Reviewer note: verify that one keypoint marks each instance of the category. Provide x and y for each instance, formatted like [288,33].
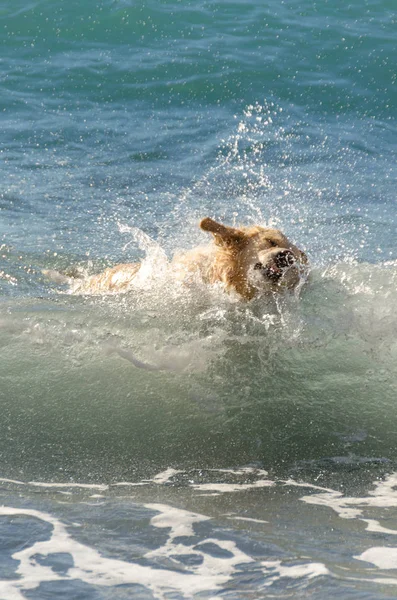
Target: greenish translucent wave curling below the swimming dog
[177,376]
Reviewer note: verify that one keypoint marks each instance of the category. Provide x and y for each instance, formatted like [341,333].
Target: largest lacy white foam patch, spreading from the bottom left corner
[210,574]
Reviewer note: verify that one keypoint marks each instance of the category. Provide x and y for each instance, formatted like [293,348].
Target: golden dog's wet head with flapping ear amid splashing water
[255,259]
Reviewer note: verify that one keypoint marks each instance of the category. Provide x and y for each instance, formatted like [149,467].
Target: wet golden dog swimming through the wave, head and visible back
[247,261]
